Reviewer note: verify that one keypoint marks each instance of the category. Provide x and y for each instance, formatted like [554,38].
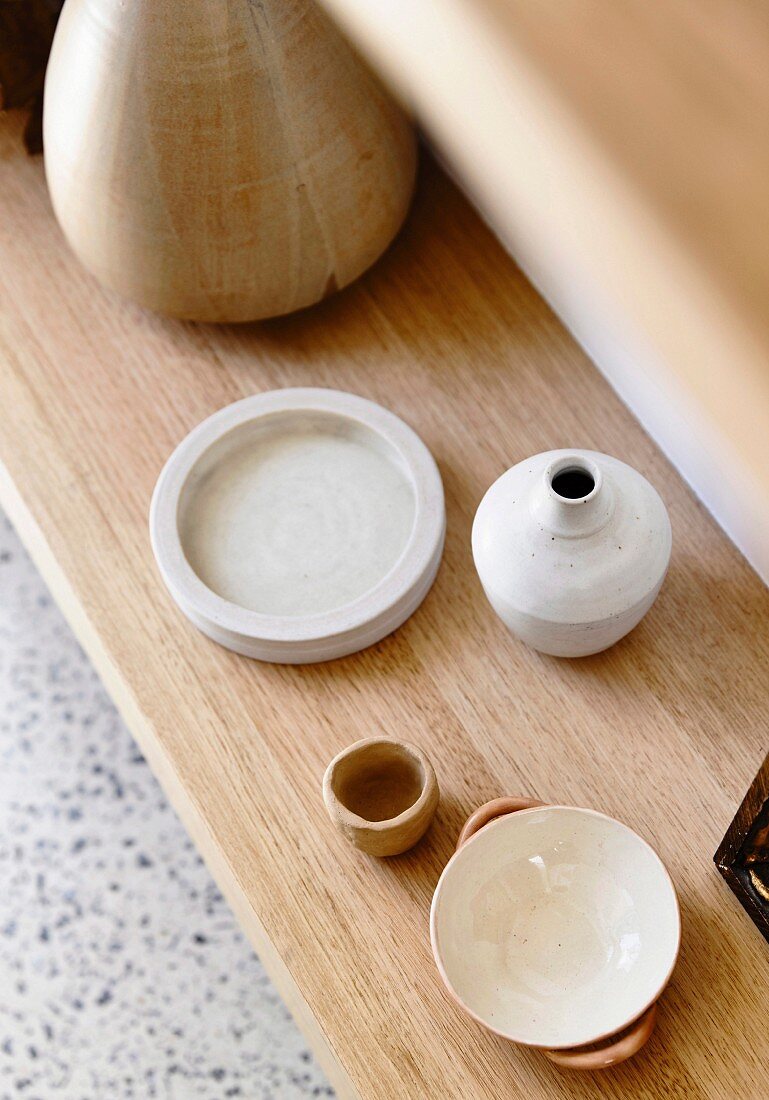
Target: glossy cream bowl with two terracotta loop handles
[557,928]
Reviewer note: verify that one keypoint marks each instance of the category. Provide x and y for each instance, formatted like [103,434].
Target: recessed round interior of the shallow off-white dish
[298,513]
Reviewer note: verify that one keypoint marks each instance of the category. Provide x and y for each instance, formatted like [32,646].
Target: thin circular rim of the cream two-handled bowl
[506,821]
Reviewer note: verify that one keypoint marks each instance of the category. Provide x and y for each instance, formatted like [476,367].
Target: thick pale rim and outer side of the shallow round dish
[328,634]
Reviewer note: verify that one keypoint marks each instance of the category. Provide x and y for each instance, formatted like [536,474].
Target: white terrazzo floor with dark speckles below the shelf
[123,971]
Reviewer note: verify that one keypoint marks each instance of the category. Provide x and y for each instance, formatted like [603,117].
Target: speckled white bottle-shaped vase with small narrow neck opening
[572,548]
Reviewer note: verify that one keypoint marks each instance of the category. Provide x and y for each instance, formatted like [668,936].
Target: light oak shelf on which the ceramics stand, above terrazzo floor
[664,732]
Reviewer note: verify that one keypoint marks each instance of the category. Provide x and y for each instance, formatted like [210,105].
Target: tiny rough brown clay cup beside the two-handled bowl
[381,795]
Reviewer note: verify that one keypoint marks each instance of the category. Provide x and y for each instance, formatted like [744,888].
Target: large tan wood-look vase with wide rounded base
[221,160]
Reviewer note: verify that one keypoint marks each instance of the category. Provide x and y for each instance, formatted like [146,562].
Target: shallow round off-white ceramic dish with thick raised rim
[299,525]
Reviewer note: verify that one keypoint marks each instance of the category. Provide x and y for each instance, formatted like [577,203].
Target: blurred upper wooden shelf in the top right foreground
[622,151]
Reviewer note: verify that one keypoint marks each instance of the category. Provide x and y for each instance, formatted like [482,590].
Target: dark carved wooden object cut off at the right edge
[743,857]
